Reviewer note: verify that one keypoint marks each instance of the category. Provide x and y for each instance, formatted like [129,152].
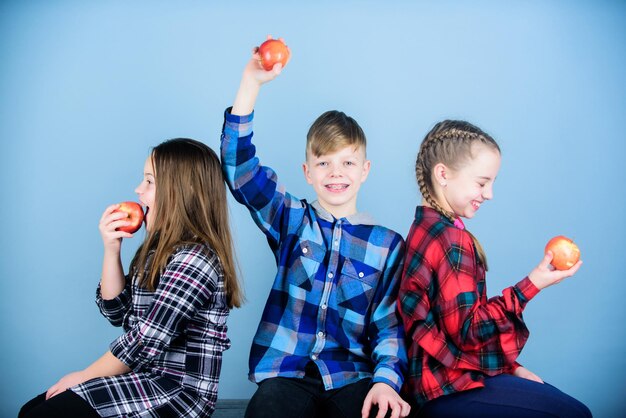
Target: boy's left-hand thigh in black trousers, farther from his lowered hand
[285,397]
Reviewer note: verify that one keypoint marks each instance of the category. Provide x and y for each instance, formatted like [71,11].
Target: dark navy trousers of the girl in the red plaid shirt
[505,396]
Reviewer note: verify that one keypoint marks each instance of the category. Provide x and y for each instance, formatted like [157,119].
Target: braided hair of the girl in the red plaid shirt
[448,142]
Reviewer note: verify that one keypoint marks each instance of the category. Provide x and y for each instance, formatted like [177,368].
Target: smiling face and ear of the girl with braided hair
[463,190]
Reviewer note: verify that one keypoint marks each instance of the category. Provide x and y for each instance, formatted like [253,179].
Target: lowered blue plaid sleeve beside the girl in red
[386,332]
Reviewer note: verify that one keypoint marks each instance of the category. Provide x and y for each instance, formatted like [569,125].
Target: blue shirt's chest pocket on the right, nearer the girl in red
[356,286]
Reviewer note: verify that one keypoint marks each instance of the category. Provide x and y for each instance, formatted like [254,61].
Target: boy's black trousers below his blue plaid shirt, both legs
[307,398]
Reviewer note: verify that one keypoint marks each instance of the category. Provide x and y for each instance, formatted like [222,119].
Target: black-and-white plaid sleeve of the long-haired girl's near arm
[184,287]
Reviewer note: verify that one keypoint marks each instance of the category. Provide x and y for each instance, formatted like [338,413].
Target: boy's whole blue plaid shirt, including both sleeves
[333,298]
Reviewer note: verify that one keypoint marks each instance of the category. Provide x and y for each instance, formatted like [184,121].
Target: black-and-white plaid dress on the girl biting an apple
[173,342]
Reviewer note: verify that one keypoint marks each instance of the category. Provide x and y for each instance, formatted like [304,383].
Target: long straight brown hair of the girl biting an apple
[191,208]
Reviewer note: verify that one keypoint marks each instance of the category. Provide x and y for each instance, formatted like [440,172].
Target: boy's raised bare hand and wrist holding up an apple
[254,76]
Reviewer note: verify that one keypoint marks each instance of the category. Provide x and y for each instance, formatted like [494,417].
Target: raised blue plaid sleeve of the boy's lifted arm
[252,184]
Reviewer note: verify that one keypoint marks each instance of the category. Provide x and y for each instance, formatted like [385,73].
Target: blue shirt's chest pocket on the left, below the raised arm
[307,258]
